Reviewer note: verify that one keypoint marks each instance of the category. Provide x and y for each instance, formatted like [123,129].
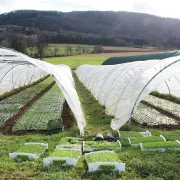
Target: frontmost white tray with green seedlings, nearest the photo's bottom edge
[104,160]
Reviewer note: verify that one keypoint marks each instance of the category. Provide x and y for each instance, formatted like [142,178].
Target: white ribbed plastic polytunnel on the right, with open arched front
[121,87]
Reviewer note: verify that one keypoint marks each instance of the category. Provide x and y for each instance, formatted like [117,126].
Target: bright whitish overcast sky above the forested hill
[165,8]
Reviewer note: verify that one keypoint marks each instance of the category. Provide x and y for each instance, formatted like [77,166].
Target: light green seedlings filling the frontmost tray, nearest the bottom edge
[102,157]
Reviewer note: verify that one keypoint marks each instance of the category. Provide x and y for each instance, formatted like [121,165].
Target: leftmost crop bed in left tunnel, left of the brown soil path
[11,105]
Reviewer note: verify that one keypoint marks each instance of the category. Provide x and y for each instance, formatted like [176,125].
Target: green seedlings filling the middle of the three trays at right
[146,139]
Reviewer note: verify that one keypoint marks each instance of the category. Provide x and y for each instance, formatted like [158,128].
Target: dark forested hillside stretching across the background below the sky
[94,27]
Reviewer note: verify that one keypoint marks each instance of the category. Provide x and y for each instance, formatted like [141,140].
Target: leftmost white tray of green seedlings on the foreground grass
[29,151]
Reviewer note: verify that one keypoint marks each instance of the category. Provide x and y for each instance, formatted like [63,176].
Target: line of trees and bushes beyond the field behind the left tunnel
[41,49]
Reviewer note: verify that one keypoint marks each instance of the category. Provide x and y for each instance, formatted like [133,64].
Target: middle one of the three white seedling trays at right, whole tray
[136,141]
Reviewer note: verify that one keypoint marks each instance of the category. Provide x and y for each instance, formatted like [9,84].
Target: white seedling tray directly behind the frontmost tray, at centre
[100,145]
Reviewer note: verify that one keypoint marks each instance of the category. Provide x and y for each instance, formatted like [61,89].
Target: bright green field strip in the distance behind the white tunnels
[75,61]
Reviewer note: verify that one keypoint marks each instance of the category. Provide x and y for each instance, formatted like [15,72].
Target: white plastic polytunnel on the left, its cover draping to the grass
[17,69]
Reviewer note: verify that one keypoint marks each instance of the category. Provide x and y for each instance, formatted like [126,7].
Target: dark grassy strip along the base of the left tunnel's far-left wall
[17,90]
